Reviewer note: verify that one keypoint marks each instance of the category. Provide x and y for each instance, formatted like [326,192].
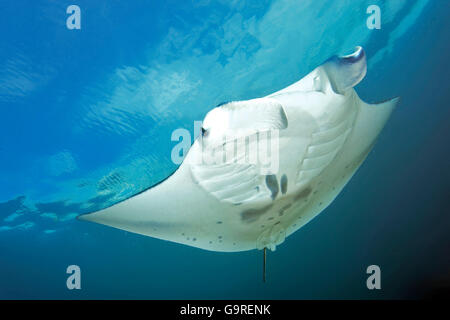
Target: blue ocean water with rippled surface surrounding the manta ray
[86,118]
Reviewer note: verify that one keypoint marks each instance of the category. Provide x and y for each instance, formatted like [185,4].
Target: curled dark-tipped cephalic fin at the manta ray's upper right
[347,71]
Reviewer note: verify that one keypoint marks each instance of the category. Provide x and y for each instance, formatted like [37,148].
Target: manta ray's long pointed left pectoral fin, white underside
[176,210]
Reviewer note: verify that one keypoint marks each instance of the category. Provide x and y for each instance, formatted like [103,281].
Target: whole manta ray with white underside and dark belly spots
[324,132]
